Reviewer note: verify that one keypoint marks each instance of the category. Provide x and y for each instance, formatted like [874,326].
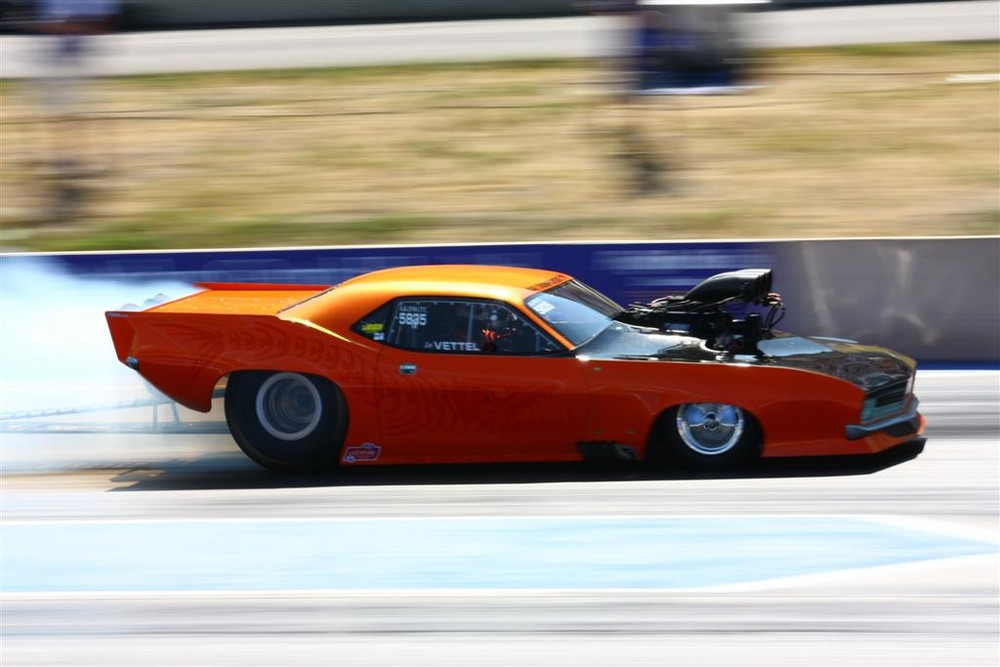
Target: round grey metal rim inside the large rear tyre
[288,406]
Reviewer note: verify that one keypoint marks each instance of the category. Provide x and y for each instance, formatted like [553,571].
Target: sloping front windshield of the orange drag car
[574,310]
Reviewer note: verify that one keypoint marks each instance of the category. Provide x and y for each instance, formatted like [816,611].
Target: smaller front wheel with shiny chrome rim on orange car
[707,435]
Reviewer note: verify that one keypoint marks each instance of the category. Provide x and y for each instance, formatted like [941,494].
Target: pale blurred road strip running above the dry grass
[477,41]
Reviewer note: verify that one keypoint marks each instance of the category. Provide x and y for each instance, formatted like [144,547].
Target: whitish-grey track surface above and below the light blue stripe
[936,612]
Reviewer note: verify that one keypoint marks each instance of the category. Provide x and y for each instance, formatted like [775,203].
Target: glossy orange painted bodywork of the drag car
[467,407]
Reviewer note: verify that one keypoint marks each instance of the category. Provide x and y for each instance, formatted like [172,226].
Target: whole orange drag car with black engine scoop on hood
[486,364]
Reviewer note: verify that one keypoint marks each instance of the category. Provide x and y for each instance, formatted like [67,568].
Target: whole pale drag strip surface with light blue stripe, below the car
[123,548]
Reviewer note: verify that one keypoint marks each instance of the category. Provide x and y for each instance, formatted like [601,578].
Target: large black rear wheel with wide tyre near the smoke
[286,421]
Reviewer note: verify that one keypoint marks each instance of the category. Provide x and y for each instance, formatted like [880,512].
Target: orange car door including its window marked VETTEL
[470,380]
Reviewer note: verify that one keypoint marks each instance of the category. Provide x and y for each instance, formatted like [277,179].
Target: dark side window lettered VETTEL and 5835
[453,326]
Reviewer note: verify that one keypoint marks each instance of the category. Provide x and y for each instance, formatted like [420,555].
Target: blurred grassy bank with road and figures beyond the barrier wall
[169,124]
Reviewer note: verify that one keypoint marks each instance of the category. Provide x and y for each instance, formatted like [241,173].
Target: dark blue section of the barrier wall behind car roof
[625,271]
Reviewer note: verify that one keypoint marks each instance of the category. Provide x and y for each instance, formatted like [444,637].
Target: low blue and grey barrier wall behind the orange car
[934,299]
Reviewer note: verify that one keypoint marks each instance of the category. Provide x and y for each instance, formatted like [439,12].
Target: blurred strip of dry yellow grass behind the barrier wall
[837,142]
